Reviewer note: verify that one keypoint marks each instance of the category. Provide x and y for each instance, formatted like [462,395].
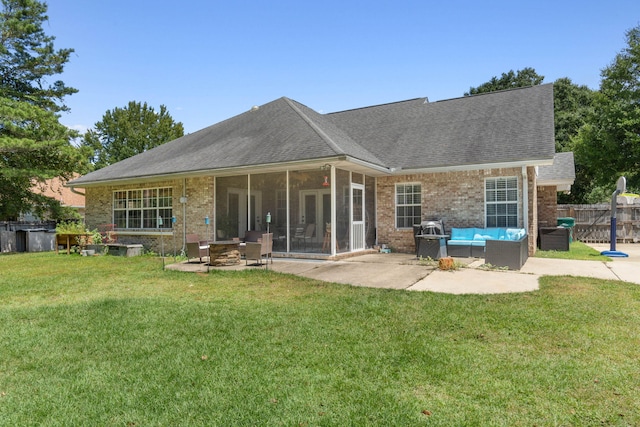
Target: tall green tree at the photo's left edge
[34,146]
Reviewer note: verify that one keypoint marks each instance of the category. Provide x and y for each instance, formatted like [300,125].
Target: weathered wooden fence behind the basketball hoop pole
[593,222]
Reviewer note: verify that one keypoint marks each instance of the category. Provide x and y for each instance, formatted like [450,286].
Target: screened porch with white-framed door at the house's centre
[323,210]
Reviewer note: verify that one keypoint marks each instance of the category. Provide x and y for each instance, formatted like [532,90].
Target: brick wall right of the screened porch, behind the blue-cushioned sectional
[457,198]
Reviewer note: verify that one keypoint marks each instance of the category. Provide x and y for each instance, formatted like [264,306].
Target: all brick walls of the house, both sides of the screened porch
[455,197]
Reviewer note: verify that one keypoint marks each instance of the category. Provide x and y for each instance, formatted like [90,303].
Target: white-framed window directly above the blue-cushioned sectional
[501,202]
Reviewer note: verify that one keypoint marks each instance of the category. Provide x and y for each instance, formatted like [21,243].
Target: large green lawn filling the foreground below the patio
[118,342]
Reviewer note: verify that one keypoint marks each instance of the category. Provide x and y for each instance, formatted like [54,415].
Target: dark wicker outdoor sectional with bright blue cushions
[500,247]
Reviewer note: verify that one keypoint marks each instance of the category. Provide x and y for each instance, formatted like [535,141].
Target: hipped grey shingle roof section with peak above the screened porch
[280,131]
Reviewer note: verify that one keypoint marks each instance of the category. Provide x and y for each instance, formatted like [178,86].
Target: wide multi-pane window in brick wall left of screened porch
[142,208]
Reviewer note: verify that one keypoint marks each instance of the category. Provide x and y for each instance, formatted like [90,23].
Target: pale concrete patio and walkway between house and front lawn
[403,271]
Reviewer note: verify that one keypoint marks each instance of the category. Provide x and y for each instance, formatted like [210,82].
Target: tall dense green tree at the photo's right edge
[608,145]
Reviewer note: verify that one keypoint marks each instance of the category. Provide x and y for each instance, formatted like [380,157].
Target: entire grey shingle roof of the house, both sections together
[515,125]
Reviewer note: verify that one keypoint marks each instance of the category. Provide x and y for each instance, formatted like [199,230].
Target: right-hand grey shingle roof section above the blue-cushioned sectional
[506,126]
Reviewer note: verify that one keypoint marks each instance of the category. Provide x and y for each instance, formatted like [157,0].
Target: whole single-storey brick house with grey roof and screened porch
[340,182]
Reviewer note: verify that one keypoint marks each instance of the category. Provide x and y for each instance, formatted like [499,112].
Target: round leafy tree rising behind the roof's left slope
[125,132]
